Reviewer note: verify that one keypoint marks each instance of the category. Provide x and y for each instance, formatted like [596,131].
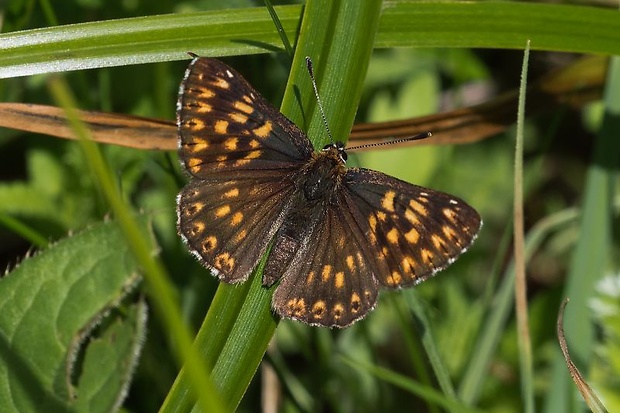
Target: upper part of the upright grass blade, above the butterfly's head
[340,53]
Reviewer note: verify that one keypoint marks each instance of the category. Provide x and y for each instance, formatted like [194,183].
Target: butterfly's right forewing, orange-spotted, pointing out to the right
[413,231]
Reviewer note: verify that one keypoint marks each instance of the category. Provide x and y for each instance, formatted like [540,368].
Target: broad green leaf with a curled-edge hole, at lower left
[51,304]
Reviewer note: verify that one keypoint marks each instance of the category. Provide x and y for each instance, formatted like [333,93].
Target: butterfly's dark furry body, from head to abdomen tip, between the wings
[317,185]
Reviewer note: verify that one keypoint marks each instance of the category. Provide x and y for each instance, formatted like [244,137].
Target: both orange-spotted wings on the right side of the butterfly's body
[377,231]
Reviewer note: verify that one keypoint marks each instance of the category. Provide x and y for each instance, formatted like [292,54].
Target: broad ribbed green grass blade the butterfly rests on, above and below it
[249,338]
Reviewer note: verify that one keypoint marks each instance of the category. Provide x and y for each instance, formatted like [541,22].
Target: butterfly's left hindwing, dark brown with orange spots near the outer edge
[228,224]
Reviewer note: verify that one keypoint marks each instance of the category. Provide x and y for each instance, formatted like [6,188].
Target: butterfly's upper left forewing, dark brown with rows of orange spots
[226,127]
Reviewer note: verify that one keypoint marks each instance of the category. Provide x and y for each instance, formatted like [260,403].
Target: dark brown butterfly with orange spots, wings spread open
[335,234]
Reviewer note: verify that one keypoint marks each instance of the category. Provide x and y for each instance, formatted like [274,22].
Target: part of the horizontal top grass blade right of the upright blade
[499,25]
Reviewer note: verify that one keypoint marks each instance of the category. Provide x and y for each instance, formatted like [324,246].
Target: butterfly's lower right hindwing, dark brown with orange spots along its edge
[330,282]
